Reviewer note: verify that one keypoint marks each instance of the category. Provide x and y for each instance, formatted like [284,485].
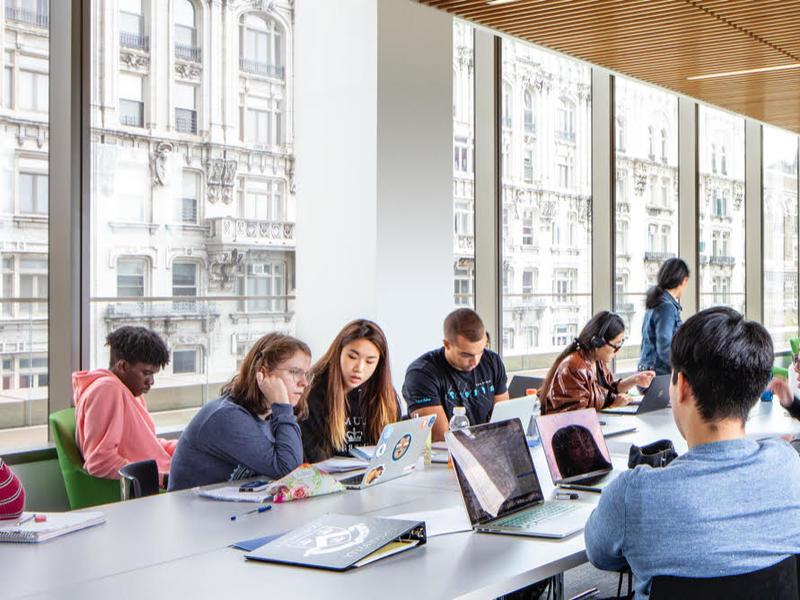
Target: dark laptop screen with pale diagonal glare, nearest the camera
[494,469]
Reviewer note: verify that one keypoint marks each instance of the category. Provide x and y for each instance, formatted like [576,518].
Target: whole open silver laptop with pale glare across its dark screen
[500,488]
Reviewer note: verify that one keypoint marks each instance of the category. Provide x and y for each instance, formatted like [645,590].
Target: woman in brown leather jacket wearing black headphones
[580,378]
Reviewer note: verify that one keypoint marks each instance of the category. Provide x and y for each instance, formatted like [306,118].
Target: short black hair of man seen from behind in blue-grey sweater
[726,360]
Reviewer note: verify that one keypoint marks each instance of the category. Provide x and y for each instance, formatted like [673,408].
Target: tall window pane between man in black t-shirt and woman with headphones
[546,203]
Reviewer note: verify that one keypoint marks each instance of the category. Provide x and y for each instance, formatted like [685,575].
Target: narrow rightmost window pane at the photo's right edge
[780,235]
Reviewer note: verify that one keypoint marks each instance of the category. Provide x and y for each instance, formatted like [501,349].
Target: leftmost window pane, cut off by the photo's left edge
[24,224]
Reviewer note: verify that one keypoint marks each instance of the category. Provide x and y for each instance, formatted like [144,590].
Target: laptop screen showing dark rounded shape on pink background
[573,445]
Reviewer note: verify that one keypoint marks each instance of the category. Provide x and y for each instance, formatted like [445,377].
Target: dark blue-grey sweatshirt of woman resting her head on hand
[224,442]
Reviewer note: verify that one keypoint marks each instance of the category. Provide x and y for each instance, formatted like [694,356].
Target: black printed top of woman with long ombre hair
[314,429]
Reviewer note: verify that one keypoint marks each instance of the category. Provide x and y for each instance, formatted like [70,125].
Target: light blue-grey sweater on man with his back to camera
[720,509]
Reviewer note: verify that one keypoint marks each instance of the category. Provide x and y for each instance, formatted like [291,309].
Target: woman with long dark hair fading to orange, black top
[350,398]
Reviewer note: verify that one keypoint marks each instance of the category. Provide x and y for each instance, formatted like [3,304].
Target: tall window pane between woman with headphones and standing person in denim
[645,199]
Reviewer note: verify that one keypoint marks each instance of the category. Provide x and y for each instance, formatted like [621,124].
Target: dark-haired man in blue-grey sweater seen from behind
[729,505]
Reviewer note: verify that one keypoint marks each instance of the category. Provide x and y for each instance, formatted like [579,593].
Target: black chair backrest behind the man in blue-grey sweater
[778,582]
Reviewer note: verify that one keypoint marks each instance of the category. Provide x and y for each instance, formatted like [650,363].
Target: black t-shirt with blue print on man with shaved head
[432,381]
